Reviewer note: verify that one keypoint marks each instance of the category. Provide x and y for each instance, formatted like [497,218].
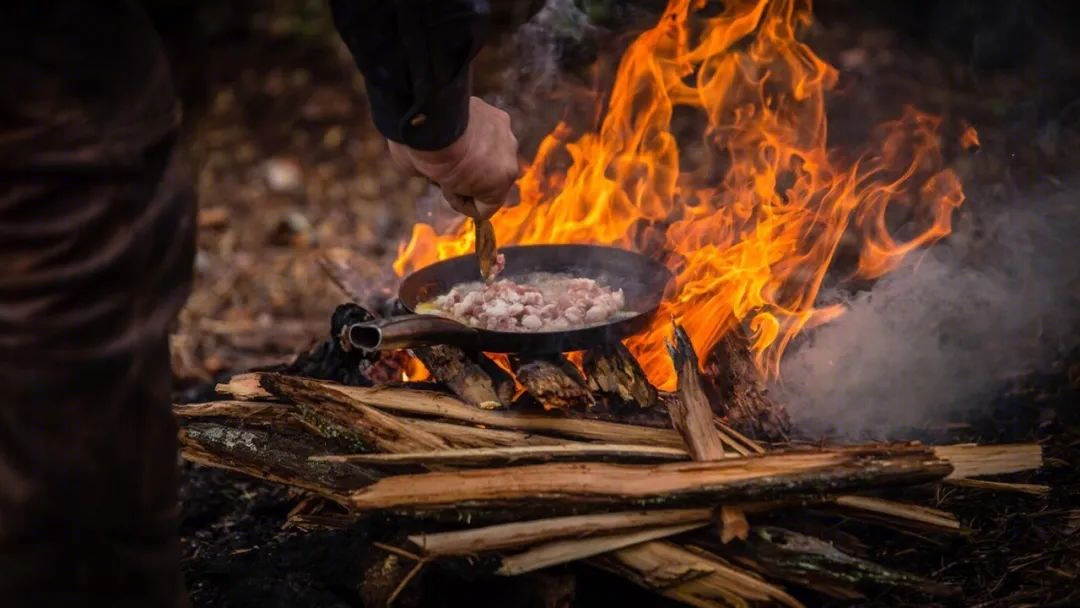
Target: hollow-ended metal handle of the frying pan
[407,331]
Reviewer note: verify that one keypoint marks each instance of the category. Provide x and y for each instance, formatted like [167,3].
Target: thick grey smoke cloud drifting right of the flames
[936,339]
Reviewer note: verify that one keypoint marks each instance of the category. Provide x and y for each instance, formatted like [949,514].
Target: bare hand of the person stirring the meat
[478,170]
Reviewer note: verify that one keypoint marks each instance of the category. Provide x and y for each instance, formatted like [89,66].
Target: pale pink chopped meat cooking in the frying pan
[537,303]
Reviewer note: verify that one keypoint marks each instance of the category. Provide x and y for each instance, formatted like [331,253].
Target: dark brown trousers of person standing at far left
[97,249]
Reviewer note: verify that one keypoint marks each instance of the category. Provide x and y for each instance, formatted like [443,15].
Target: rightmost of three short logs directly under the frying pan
[614,372]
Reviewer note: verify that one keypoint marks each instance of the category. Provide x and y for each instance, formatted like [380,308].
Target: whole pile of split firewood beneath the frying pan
[682,504]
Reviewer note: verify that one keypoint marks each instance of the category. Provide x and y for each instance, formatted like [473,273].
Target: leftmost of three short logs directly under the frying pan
[474,377]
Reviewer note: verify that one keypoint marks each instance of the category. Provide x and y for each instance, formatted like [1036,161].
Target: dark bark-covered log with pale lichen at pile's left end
[277,457]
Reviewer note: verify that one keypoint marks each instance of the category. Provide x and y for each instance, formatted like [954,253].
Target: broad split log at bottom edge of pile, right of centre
[693,577]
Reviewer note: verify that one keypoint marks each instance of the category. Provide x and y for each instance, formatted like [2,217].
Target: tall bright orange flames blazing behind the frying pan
[753,214]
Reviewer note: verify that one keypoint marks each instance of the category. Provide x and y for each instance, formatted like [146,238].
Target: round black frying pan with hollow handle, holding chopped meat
[643,282]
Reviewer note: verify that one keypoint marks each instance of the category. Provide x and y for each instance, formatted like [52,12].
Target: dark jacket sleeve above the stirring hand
[415,58]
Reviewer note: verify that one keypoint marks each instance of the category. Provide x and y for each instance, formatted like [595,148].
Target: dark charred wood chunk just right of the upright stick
[740,394]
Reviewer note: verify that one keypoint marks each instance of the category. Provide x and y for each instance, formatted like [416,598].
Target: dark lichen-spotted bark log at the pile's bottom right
[819,565]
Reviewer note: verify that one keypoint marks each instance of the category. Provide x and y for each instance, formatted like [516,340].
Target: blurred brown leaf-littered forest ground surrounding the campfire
[287,163]
